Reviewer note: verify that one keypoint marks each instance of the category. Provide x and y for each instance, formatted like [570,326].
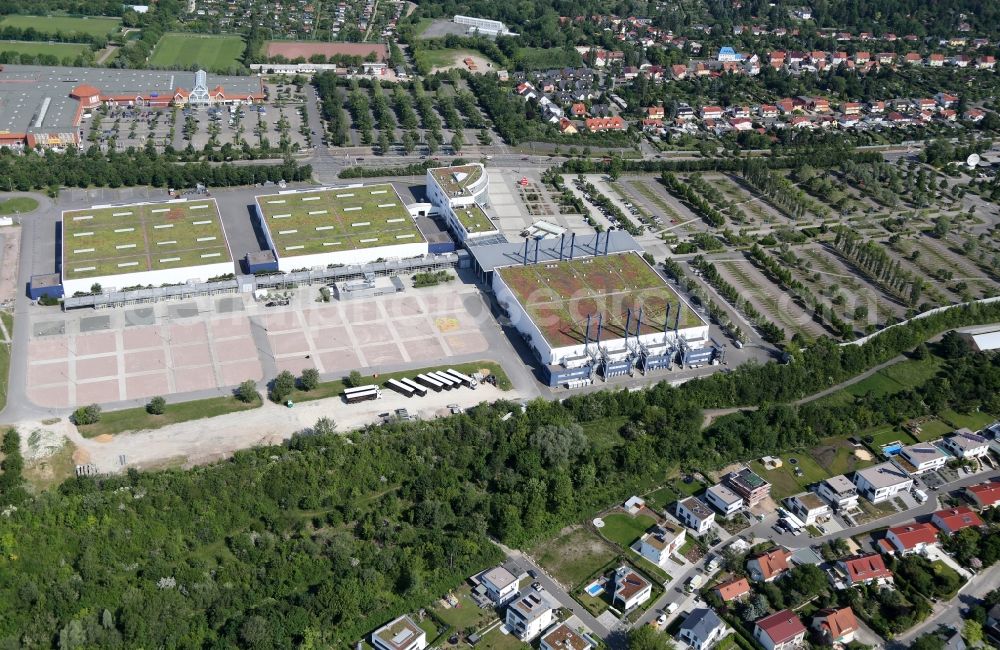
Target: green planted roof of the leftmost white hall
[142,237]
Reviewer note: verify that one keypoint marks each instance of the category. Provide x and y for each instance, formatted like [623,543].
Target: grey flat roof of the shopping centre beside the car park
[24,90]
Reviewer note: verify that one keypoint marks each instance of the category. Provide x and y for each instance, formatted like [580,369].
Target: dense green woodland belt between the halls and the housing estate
[314,543]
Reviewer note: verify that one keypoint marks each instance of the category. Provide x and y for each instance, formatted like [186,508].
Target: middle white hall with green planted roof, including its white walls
[358,224]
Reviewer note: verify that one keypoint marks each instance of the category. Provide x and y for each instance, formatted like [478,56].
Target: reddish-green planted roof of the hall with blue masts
[558,296]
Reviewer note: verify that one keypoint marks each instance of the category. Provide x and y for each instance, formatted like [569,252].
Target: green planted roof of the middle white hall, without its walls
[332,220]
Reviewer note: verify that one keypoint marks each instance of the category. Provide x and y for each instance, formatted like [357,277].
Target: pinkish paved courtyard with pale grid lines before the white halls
[207,345]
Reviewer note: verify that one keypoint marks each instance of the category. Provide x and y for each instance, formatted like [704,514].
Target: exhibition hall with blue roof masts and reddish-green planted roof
[591,310]
